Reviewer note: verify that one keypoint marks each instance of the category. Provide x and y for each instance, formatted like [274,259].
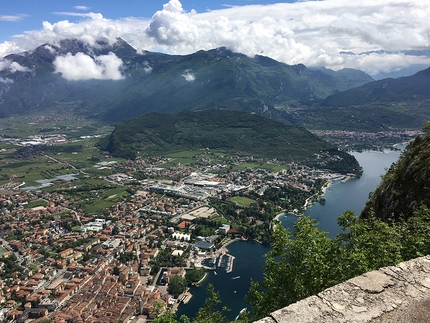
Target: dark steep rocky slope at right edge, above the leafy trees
[405,187]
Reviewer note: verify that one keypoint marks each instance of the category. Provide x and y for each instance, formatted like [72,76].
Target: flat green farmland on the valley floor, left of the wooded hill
[29,164]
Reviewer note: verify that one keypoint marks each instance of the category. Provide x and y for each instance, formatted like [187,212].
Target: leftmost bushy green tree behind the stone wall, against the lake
[295,268]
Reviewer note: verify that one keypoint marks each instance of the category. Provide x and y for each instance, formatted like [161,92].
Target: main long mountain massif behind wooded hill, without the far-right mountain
[210,79]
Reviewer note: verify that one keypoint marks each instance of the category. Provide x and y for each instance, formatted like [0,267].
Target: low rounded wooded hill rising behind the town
[236,132]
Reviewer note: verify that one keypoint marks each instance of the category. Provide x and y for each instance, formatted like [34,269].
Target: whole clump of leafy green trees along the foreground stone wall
[306,262]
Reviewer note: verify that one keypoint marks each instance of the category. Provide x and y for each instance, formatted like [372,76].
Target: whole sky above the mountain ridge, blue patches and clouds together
[376,36]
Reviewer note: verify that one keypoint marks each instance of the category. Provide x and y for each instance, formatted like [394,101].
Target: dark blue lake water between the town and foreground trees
[249,262]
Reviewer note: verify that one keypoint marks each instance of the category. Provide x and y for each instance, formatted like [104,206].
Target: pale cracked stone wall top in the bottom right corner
[392,294]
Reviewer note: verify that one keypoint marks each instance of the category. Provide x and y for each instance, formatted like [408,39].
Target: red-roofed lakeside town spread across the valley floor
[109,251]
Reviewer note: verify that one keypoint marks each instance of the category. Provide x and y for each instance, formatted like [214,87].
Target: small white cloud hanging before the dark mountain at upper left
[83,67]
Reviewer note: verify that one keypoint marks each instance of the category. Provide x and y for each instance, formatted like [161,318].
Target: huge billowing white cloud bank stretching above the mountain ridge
[309,32]
